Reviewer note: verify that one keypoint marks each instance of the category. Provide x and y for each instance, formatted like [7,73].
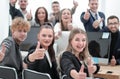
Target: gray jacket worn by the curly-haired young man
[13,56]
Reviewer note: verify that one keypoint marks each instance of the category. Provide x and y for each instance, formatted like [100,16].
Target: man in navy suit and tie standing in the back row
[92,19]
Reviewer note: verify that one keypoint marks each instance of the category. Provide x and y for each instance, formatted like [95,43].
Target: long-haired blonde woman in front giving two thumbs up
[74,61]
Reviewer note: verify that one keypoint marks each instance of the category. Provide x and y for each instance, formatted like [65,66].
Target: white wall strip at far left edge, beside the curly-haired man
[4,19]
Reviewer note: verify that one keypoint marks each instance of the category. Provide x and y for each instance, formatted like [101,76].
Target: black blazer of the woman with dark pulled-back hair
[42,65]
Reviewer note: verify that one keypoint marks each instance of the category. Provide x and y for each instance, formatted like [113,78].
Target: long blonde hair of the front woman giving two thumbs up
[85,52]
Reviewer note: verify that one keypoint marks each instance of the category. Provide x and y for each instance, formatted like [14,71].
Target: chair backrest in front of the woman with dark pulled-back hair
[31,74]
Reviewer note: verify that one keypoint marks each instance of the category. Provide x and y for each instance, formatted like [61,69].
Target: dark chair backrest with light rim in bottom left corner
[7,73]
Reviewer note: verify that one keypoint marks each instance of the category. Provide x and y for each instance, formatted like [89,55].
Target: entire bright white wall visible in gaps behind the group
[109,7]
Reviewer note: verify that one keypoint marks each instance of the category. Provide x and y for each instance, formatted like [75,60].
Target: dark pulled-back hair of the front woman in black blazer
[50,48]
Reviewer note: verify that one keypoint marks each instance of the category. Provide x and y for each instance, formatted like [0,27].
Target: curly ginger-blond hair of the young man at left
[20,23]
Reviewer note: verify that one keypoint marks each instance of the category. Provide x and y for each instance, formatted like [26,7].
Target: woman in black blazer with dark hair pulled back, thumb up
[41,56]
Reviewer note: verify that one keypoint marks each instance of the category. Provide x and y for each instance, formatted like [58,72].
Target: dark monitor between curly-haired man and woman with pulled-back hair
[31,38]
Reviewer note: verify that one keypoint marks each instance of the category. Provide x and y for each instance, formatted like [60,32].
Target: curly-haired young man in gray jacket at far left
[10,51]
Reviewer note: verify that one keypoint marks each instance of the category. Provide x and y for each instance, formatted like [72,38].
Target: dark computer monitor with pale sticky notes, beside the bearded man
[99,46]
